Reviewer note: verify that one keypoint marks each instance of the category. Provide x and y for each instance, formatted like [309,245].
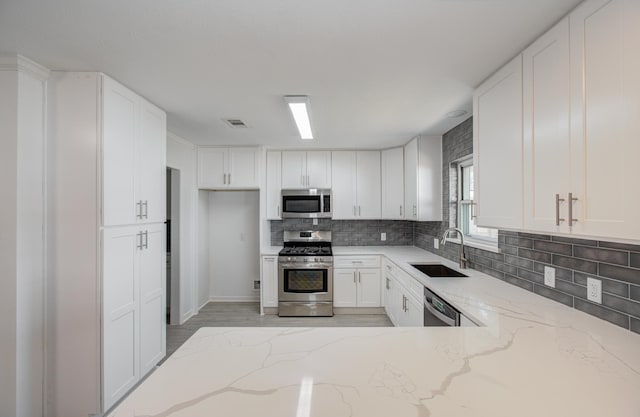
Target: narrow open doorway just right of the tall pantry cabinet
[172,284]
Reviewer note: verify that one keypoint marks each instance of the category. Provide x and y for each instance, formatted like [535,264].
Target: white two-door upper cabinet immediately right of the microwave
[357,189]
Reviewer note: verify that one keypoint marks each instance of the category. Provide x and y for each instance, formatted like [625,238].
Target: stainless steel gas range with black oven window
[305,274]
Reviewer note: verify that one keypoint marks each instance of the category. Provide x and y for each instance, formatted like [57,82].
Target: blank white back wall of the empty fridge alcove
[234,243]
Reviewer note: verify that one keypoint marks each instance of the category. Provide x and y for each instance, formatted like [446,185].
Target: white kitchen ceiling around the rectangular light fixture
[377,72]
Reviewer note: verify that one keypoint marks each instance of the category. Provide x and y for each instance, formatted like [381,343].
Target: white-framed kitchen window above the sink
[483,237]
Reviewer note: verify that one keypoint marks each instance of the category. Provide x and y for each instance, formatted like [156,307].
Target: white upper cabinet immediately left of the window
[423,179]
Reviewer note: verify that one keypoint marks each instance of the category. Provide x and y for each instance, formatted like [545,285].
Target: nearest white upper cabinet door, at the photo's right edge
[605,103]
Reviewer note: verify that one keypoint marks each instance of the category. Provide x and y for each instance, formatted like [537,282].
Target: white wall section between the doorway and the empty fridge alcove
[181,155]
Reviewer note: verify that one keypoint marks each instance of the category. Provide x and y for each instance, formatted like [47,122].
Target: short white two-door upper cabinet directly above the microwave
[310,169]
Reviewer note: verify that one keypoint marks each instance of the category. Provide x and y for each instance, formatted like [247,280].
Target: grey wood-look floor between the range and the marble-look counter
[248,315]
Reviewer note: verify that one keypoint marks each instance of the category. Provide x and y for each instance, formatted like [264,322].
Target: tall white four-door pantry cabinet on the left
[106,303]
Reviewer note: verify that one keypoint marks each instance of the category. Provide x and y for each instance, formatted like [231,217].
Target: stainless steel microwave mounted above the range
[311,203]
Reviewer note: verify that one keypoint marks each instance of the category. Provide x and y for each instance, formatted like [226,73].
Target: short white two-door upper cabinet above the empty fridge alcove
[228,168]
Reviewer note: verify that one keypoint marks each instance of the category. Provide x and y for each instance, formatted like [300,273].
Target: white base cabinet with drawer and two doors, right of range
[356,281]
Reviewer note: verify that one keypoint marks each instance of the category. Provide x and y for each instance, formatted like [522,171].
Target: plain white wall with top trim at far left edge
[22,248]
